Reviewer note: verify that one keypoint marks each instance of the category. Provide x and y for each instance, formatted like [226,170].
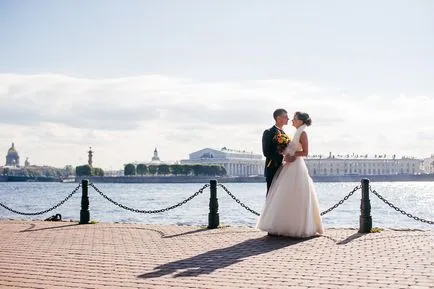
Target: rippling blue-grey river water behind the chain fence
[416,198]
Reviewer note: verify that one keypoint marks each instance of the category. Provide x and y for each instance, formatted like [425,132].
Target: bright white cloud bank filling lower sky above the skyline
[54,119]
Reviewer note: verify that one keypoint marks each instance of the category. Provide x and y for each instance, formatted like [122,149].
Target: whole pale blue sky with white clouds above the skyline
[125,77]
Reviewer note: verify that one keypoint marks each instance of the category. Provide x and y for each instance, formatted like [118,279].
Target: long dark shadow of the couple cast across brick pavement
[210,261]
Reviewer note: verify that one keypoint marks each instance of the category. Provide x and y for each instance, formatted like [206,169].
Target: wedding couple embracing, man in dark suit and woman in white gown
[291,207]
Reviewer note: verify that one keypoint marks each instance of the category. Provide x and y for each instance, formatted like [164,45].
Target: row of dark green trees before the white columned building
[176,169]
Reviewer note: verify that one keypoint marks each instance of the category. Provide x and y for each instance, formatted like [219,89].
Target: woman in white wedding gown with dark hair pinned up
[291,208]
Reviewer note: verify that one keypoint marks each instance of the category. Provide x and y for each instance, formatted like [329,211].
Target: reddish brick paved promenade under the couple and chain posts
[38,254]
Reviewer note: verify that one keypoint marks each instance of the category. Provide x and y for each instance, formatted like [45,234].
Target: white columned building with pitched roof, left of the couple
[236,163]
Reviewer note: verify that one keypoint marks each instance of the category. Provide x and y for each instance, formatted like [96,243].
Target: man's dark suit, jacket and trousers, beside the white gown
[273,159]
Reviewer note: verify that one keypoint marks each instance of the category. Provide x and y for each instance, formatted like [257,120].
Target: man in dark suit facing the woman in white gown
[273,159]
